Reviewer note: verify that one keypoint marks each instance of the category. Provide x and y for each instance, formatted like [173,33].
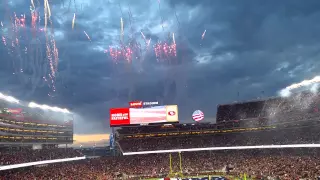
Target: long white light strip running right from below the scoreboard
[226,148]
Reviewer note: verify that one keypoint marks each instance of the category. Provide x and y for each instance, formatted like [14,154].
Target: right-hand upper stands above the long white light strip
[274,121]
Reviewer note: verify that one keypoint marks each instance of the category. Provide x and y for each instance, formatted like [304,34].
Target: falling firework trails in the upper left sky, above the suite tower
[28,59]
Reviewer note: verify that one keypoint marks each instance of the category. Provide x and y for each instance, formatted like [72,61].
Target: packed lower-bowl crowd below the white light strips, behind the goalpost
[287,164]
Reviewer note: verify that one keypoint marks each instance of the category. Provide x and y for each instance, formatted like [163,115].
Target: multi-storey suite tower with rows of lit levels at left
[30,125]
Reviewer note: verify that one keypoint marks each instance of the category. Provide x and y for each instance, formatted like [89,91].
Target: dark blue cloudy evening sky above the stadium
[250,46]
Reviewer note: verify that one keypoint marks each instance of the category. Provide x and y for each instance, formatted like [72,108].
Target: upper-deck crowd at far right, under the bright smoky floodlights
[277,109]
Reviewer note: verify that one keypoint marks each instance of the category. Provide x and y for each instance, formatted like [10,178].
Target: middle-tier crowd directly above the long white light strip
[301,135]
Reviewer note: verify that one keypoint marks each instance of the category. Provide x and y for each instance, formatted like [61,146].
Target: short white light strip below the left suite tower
[14,166]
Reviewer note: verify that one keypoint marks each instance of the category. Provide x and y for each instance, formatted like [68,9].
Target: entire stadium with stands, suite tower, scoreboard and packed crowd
[266,138]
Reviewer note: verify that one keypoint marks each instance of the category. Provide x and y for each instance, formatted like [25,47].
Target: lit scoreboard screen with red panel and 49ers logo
[151,115]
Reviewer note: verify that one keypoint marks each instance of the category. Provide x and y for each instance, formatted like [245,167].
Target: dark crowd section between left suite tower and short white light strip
[24,155]
